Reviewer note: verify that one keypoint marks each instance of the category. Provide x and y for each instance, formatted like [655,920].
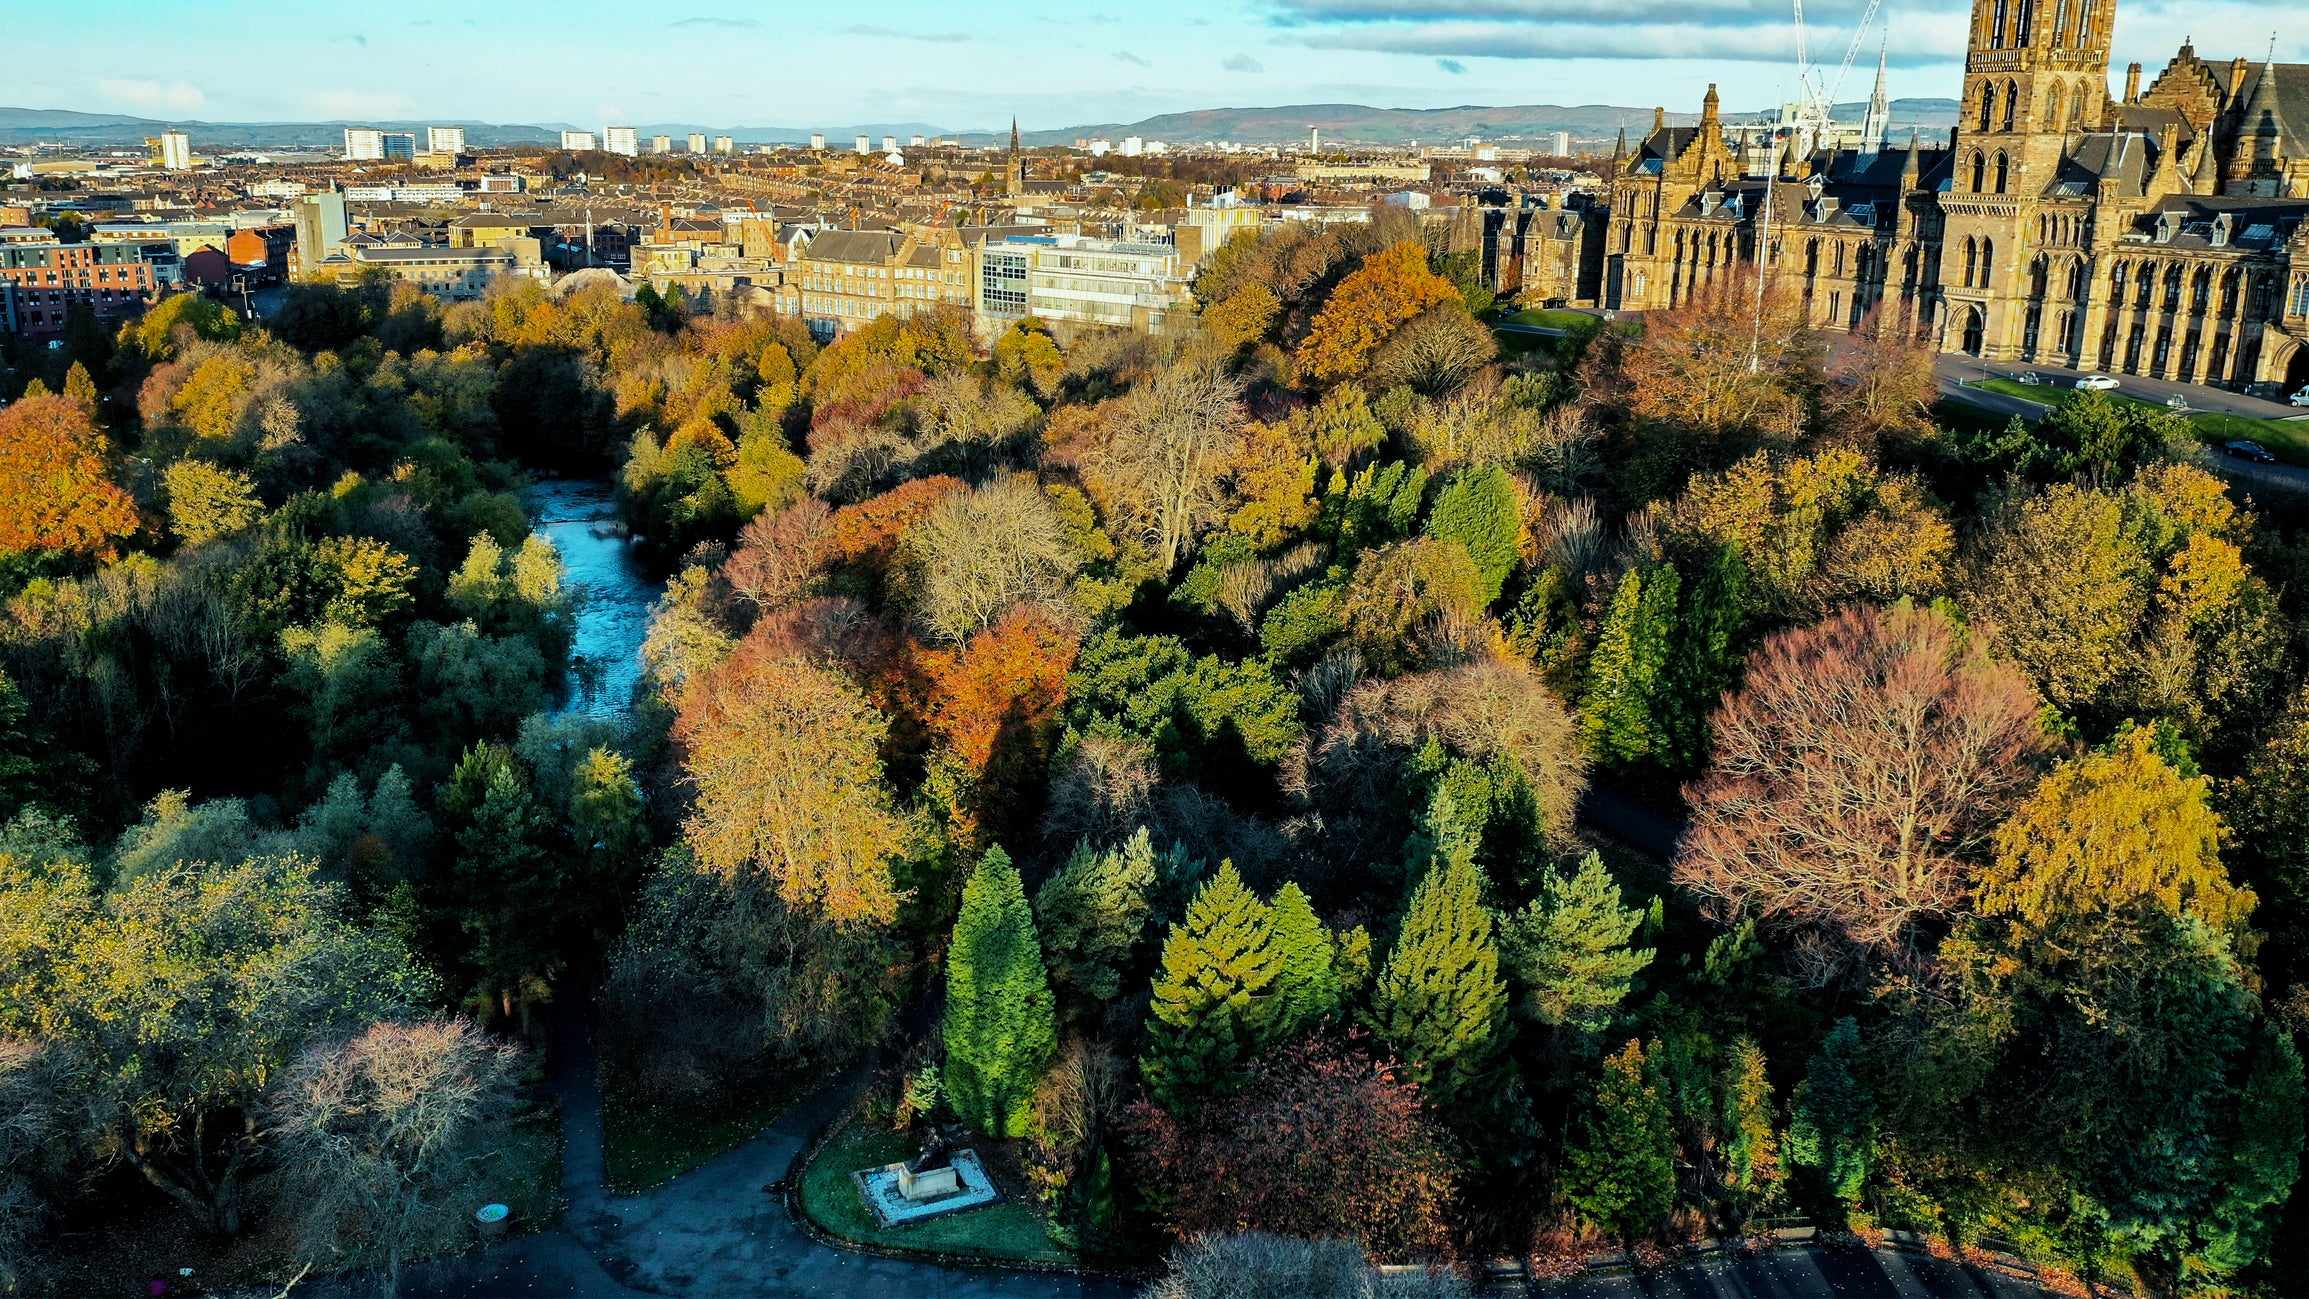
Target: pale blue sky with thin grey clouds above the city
[976,63]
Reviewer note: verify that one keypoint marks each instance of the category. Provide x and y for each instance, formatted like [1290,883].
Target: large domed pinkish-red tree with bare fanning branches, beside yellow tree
[1858,779]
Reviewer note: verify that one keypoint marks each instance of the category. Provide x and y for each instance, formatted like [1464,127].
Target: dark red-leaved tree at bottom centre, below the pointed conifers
[1317,1146]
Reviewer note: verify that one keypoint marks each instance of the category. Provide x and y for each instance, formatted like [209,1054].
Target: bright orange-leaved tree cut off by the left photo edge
[57,490]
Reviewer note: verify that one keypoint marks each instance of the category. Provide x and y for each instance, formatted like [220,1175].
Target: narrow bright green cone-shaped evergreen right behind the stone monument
[1001,1019]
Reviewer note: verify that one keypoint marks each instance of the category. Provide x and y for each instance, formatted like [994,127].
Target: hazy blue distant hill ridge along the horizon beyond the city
[1340,123]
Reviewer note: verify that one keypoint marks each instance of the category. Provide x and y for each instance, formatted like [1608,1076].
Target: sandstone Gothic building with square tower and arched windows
[2160,234]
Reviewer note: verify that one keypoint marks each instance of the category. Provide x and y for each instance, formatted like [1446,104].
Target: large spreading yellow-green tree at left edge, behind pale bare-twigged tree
[188,993]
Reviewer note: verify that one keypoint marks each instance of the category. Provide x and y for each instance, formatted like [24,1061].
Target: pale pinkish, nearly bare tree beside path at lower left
[387,1143]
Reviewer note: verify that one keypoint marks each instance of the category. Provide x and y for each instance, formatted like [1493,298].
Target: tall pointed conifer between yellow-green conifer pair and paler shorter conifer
[1440,1000]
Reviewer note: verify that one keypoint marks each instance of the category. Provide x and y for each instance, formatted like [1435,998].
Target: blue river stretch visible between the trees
[611,590]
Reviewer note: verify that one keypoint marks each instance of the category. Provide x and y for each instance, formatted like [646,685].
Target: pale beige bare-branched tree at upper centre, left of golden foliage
[1163,460]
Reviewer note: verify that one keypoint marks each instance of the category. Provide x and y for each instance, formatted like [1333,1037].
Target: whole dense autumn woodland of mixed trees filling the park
[1167,751]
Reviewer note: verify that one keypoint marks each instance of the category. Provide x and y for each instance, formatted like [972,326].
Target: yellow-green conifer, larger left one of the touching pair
[1213,996]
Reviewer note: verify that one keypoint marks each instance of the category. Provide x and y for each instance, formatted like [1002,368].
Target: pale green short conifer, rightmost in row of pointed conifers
[1571,947]
